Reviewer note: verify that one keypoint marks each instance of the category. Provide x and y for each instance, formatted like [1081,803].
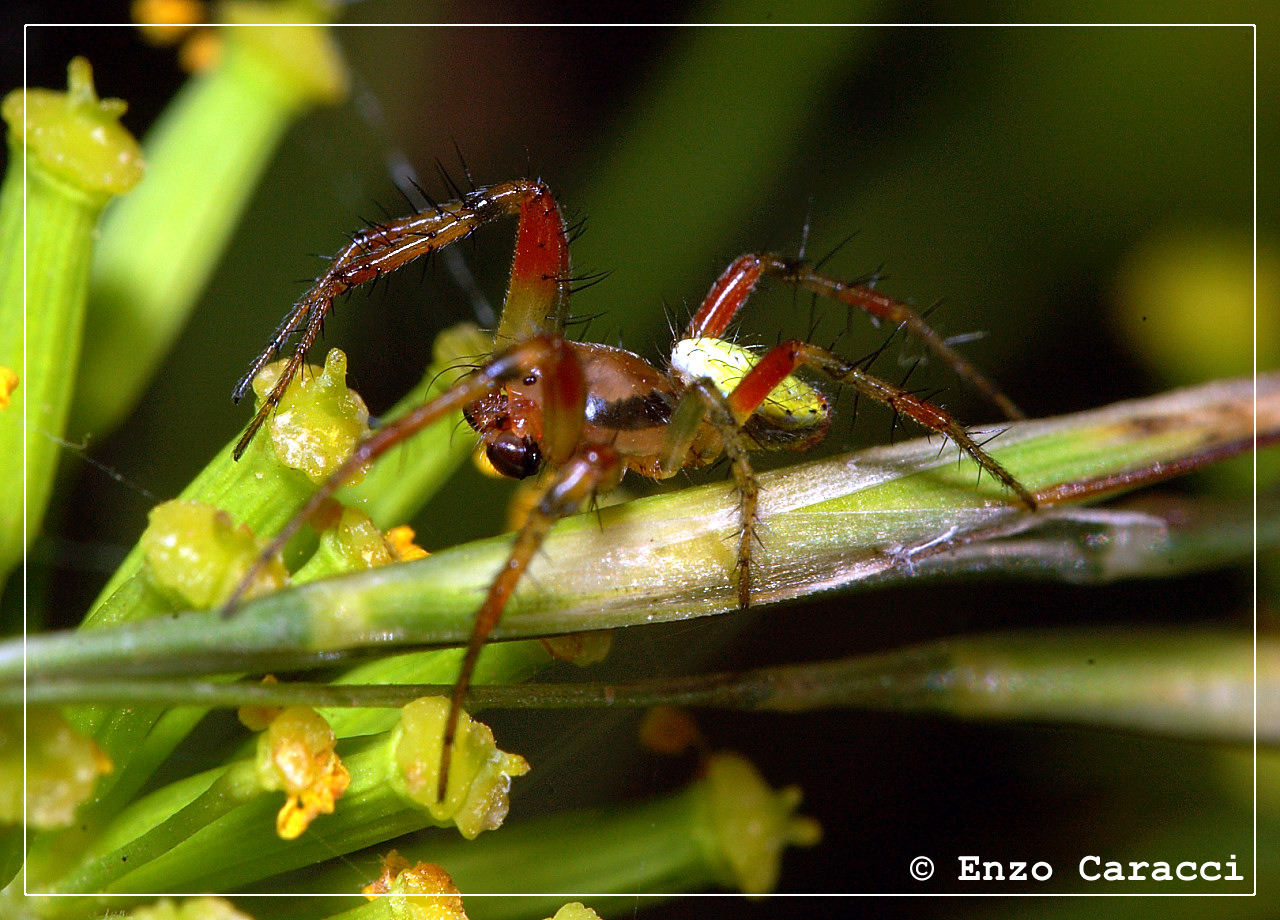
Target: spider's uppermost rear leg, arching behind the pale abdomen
[739,280]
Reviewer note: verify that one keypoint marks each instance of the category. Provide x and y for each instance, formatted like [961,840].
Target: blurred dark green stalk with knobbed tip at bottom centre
[728,830]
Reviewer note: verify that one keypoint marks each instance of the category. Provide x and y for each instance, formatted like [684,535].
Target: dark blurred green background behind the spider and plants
[1084,196]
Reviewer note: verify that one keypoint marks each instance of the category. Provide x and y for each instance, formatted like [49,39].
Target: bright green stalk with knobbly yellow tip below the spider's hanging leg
[177,837]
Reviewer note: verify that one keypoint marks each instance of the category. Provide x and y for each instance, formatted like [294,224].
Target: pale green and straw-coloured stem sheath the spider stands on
[831,524]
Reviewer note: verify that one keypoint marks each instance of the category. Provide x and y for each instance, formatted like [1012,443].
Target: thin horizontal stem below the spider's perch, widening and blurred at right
[1197,685]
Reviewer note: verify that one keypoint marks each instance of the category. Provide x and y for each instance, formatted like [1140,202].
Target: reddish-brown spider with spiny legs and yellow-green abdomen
[584,414]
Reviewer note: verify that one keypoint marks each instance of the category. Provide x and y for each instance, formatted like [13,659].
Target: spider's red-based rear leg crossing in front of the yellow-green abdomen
[787,358]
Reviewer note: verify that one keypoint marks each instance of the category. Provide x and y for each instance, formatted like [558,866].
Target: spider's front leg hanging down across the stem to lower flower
[592,469]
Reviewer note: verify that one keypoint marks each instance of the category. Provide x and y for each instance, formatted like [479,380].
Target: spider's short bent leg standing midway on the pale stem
[705,401]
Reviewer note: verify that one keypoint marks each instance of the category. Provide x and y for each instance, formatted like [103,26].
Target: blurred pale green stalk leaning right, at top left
[159,249]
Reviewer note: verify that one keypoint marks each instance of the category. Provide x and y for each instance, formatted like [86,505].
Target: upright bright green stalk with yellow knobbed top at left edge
[68,157]
